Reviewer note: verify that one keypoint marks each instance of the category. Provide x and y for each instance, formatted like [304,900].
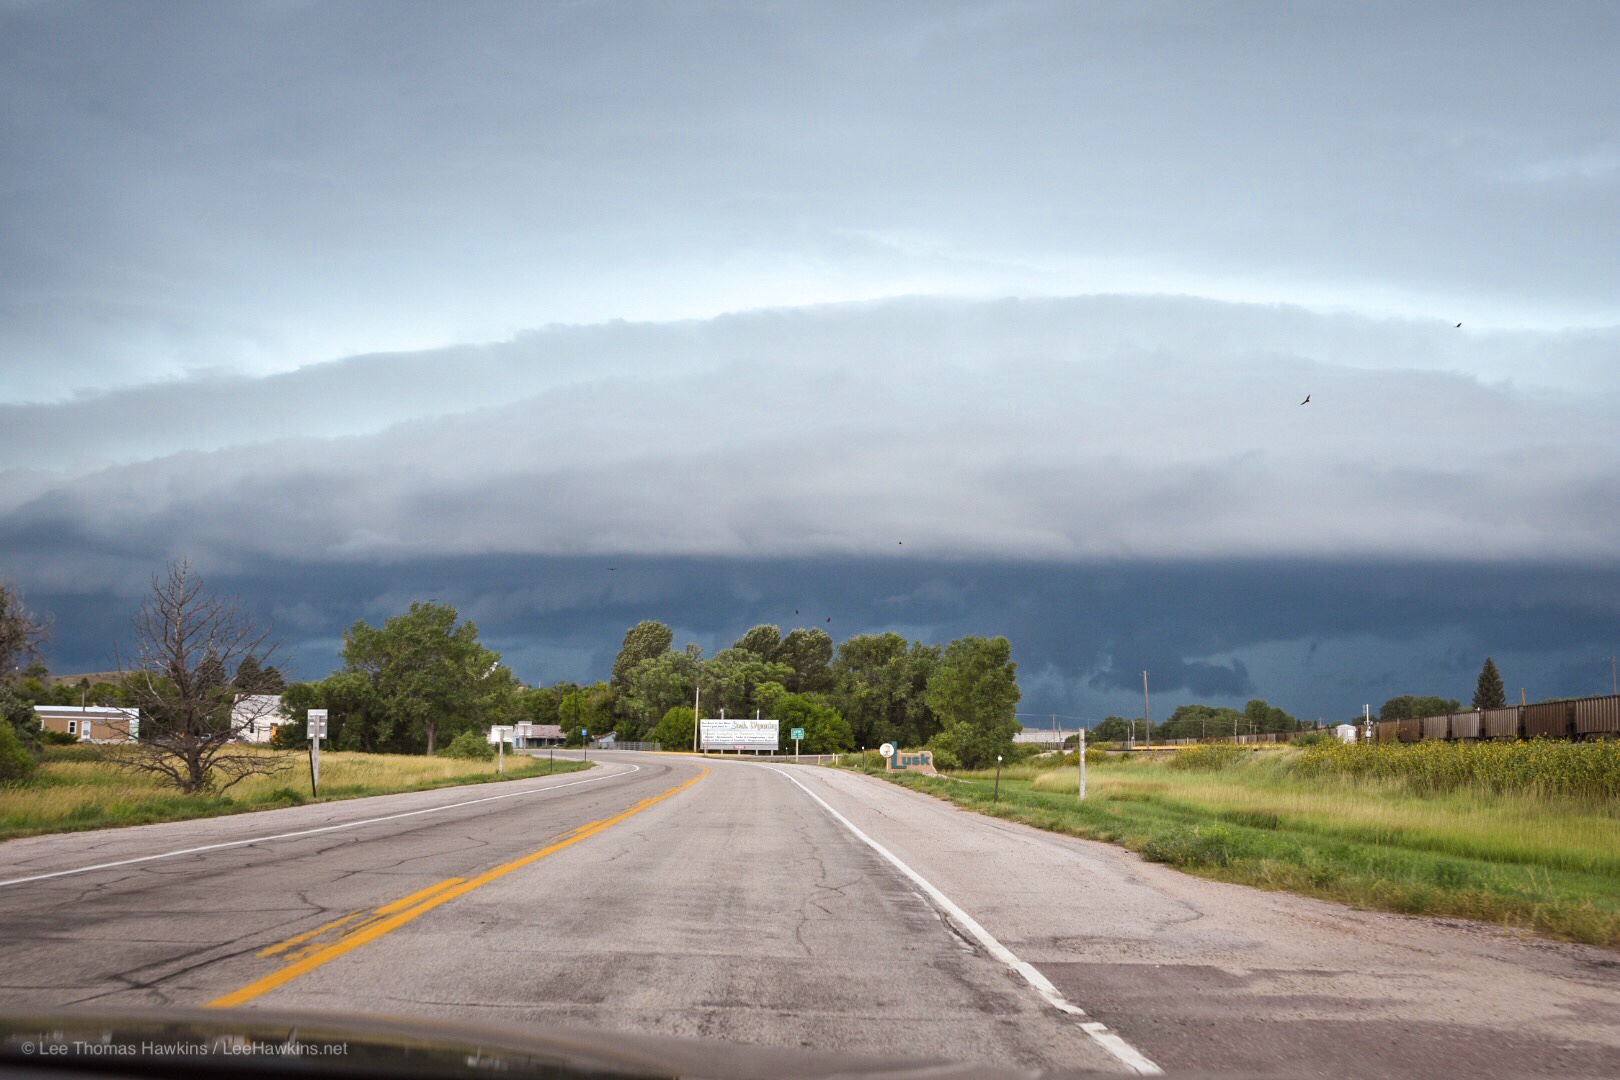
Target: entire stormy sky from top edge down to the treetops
[936,318]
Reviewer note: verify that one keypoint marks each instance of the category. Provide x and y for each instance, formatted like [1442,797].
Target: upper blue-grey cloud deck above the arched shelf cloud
[260,187]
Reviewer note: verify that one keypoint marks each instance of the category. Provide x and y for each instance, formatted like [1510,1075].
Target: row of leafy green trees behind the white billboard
[424,679]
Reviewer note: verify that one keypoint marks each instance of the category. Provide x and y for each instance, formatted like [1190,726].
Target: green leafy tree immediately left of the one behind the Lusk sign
[880,687]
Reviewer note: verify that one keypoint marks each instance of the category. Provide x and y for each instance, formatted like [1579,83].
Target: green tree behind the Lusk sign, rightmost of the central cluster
[974,692]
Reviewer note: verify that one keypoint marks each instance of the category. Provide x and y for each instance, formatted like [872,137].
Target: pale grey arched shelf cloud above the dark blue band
[1033,430]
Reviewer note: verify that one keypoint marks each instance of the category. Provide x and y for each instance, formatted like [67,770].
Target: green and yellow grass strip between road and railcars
[1520,861]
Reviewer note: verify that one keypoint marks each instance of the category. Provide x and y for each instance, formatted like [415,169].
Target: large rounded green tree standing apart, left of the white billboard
[430,676]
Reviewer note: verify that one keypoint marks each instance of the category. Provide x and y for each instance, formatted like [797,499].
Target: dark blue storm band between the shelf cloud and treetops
[1081,634]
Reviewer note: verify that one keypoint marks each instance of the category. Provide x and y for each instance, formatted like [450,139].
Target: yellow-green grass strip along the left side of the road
[75,791]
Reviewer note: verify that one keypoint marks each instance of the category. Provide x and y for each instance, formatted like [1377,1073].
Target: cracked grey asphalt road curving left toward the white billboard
[780,906]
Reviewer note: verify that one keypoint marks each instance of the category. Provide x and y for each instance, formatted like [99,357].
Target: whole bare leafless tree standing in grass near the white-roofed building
[189,713]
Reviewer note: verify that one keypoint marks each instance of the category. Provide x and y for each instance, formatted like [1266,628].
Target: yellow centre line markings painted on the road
[391,917]
